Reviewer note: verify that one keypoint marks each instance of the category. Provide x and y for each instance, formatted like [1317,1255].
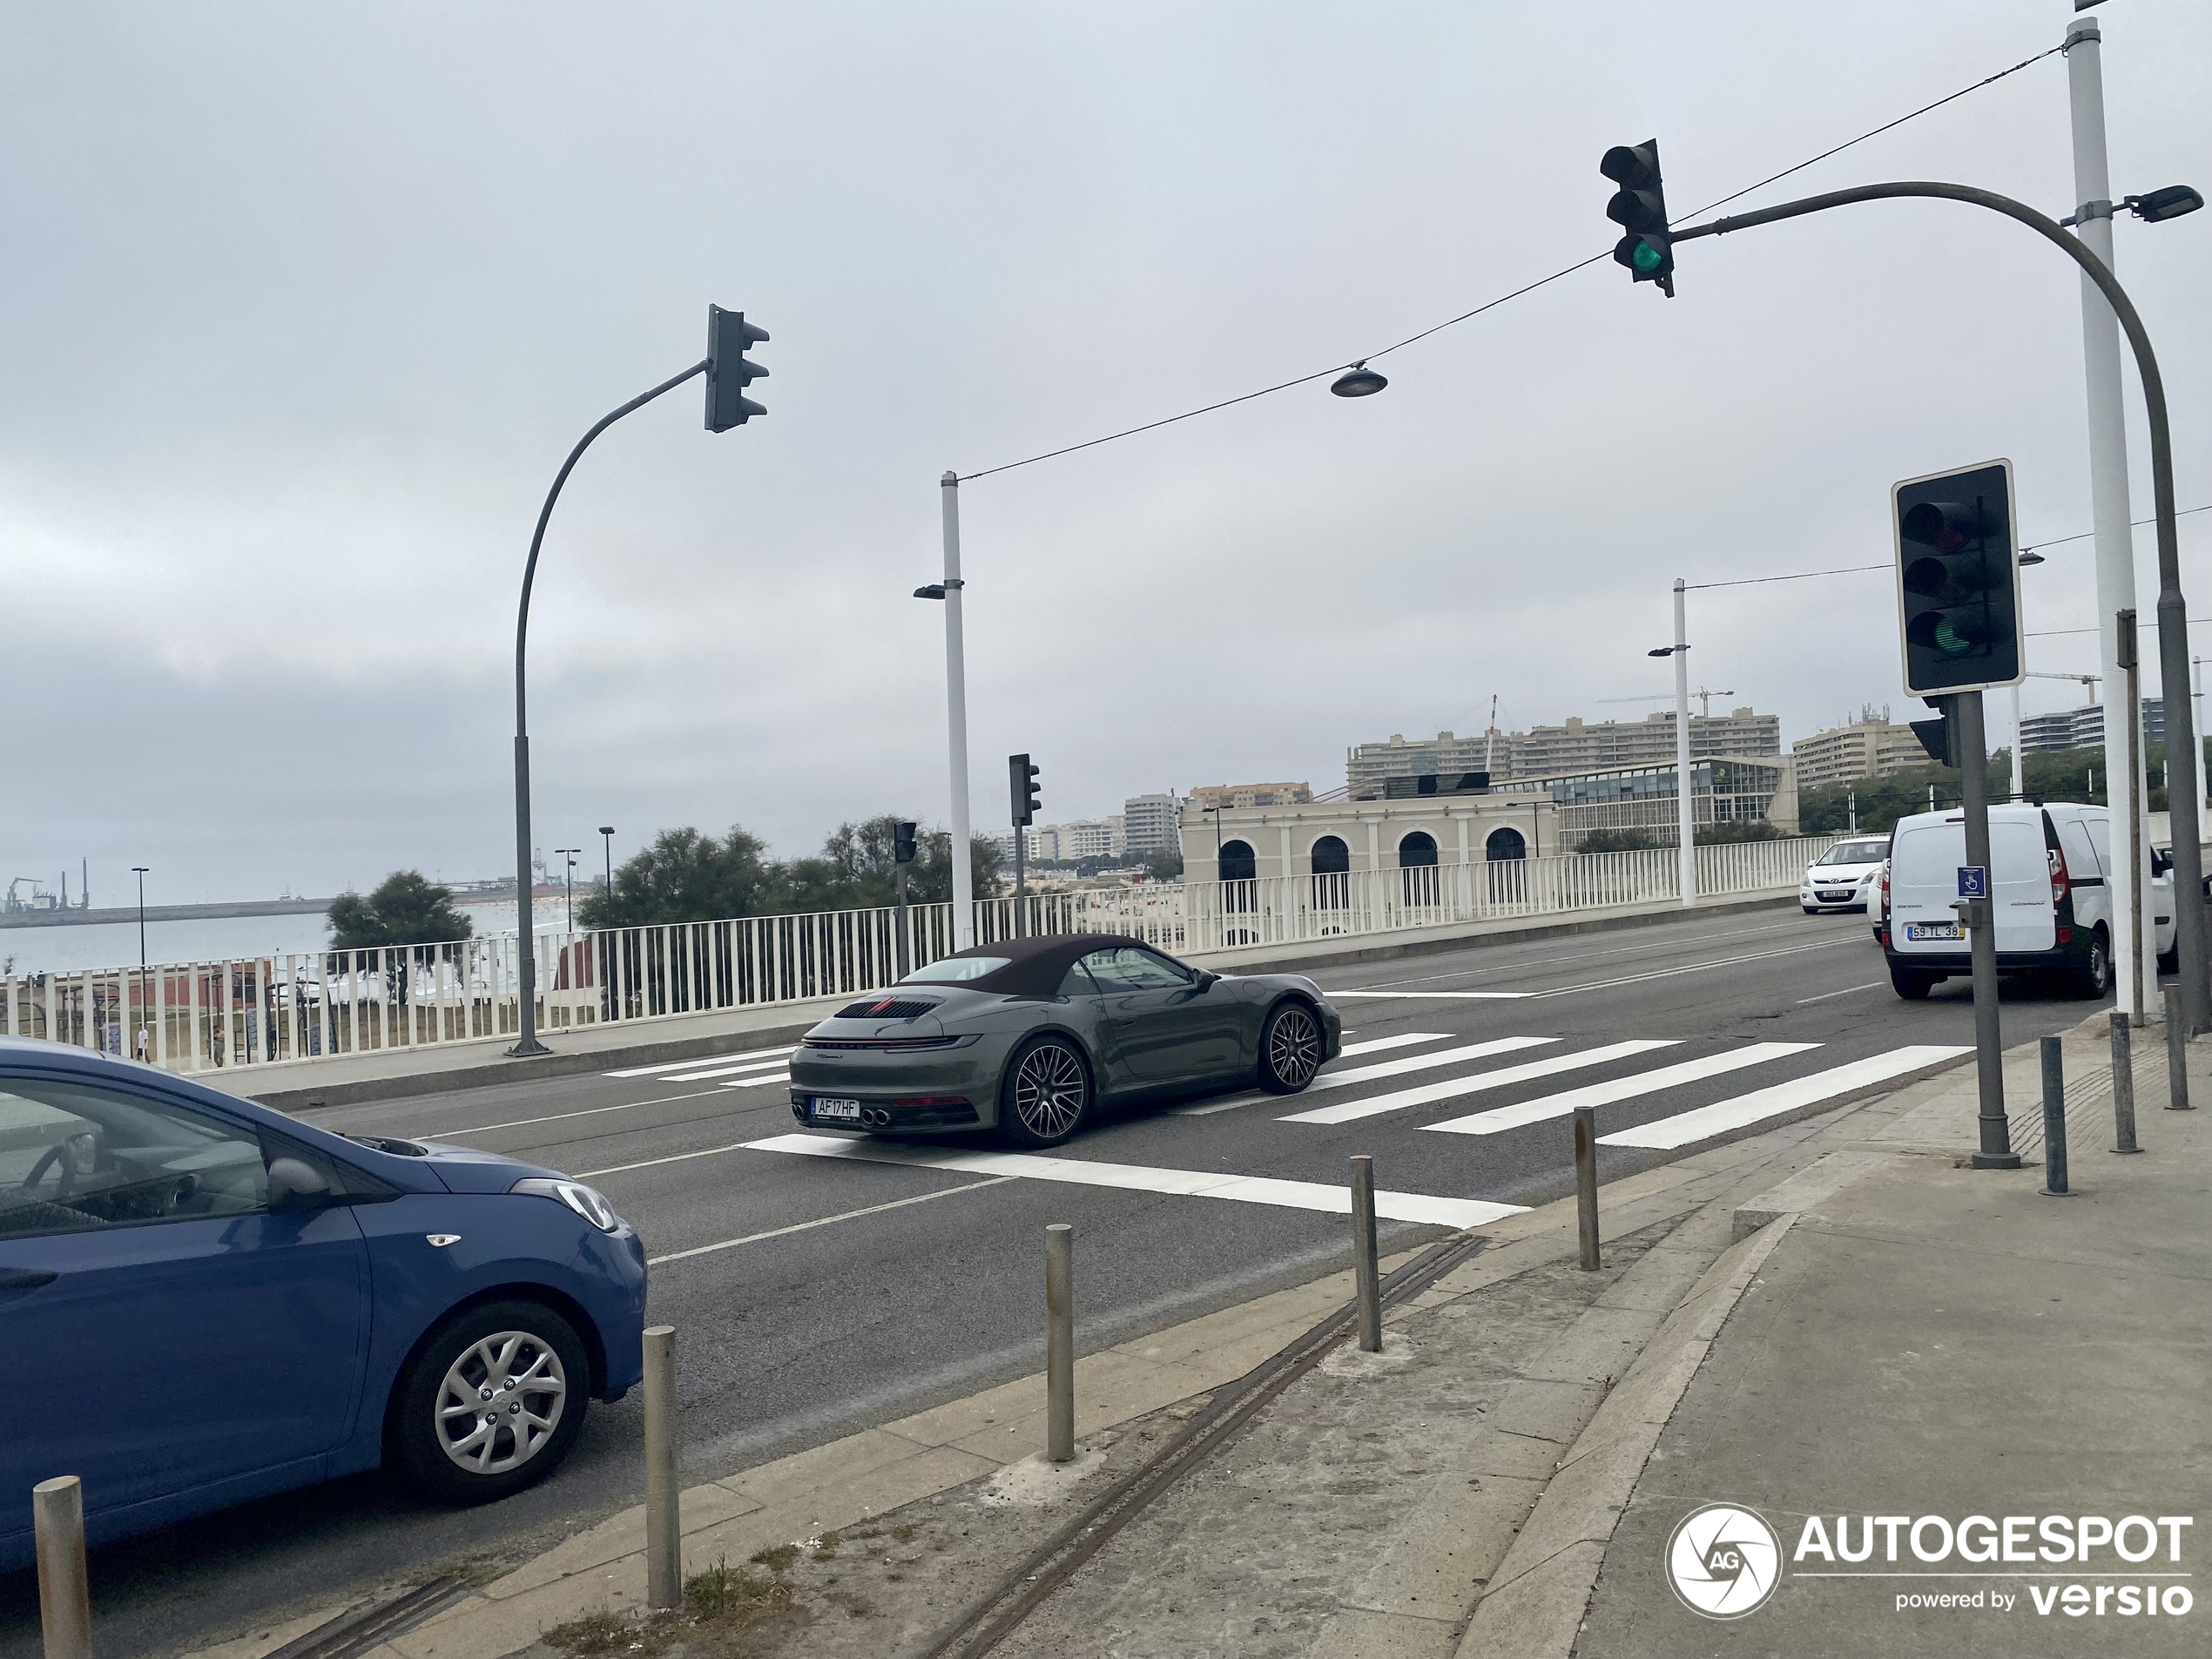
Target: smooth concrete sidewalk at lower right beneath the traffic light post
[1941,1344]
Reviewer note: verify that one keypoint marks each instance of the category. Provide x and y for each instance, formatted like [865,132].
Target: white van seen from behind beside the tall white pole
[2049,888]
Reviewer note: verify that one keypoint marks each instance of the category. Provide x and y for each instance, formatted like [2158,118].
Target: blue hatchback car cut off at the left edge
[207,1302]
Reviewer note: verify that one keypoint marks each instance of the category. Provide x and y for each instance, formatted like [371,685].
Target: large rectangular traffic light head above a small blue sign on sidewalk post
[1959,581]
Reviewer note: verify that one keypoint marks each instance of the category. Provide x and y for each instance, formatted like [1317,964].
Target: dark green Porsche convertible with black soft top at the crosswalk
[1030,1036]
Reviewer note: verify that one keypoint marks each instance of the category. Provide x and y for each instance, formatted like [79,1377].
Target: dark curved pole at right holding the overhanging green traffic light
[2182,758]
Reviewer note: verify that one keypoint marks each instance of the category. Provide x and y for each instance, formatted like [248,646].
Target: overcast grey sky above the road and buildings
[306,304]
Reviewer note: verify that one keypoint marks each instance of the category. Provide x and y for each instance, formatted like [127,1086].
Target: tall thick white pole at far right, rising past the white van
[2109,508]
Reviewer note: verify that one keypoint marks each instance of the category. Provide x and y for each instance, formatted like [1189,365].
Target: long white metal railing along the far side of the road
[315,1005]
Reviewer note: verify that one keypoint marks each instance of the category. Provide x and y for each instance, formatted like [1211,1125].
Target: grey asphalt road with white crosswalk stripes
[817,1295]
